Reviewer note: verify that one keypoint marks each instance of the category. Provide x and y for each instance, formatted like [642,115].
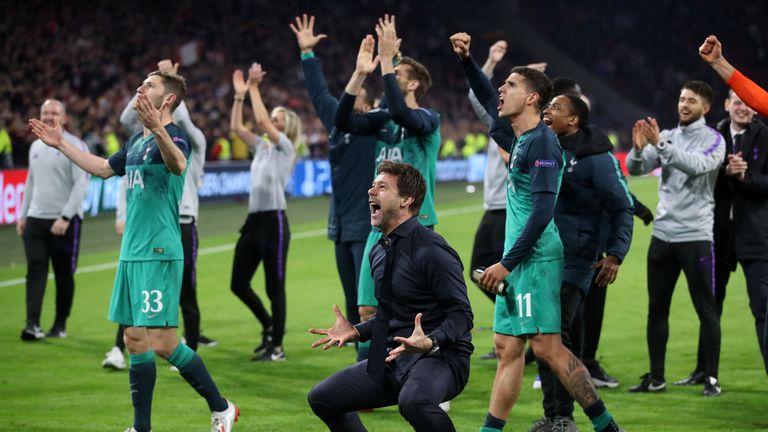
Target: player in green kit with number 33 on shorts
[145,297]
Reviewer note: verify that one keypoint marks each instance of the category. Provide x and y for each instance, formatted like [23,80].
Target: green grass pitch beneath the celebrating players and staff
[58,385]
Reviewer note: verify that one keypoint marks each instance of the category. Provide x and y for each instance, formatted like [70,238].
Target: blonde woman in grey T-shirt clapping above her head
[265,234]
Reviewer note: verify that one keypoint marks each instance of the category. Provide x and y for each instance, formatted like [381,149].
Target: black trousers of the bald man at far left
[40,247]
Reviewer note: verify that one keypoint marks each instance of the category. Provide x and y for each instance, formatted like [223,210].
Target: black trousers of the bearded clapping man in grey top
[665,261]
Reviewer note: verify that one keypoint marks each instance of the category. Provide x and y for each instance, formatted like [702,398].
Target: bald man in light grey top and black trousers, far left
[50,224]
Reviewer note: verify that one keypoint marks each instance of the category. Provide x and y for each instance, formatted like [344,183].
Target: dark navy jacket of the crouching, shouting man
[427,278]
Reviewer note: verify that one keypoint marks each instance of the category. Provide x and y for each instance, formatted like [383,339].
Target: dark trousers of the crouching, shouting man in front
[431,381]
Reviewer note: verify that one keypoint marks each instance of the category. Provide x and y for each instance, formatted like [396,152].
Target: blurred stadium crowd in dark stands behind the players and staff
[90,61]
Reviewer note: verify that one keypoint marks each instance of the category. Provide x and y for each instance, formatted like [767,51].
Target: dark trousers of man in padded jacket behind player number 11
[557,401]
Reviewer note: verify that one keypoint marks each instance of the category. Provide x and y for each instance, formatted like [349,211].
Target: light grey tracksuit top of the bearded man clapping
[689,157]
